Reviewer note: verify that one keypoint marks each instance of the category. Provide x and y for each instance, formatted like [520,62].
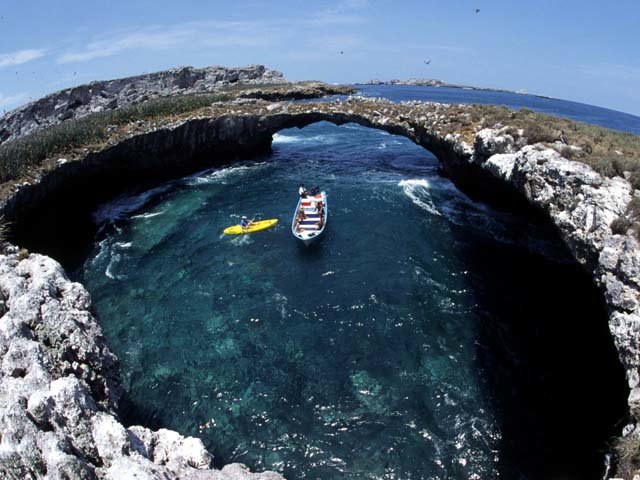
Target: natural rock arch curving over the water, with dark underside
[495,164]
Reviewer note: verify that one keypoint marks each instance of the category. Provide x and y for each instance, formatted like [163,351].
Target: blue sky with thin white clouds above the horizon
[585,51]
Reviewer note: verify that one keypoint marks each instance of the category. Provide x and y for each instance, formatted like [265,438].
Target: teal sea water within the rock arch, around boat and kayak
[423,336]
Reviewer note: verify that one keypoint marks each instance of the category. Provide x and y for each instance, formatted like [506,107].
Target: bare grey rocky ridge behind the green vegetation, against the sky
[99,96]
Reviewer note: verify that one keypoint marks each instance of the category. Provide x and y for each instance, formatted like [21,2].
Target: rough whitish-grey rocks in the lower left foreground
[59,389]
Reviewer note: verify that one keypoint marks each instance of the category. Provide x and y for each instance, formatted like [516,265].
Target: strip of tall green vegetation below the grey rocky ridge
[16,156]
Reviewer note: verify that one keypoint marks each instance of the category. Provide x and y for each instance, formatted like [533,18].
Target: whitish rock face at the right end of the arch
[583,205]
